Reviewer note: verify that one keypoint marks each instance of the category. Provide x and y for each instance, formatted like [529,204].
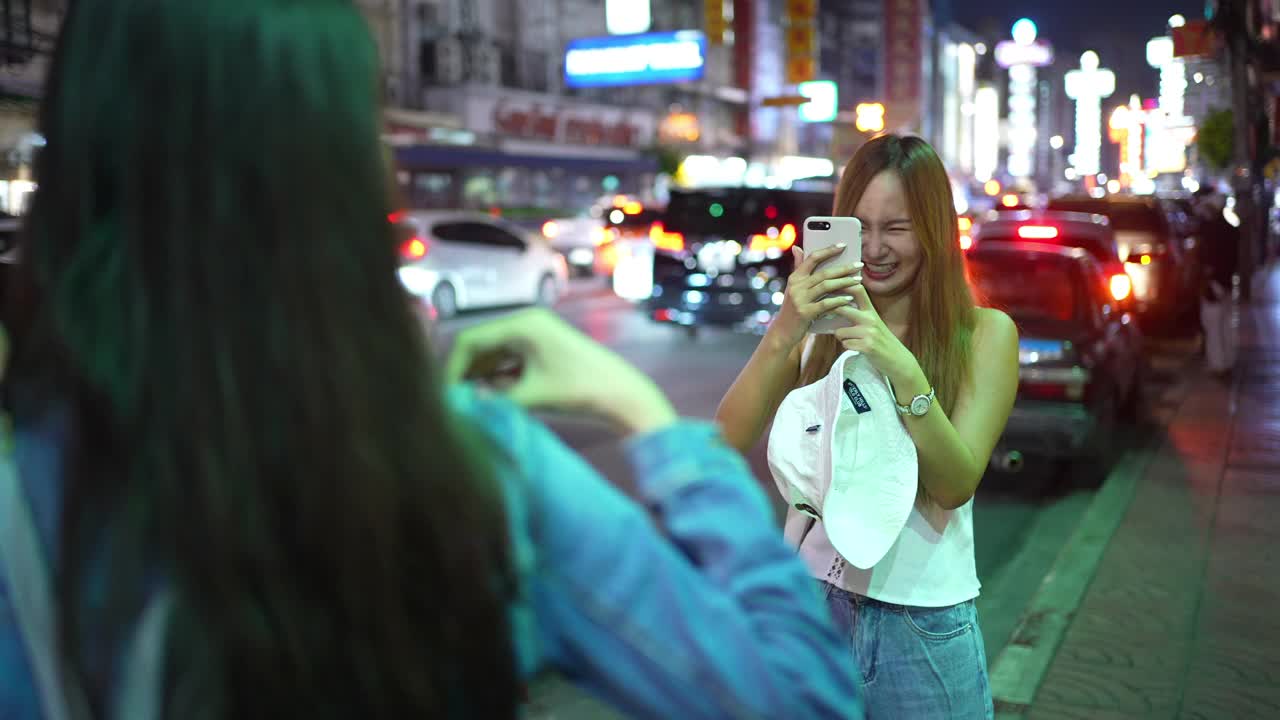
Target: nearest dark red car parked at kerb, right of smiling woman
[1081,357]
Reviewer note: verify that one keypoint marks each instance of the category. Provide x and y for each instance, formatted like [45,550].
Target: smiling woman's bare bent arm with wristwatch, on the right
[954,452]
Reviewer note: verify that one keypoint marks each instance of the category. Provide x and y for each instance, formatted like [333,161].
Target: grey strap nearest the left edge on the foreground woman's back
[22,559]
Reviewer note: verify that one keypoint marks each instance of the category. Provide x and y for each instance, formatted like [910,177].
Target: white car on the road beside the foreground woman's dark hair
[467,261]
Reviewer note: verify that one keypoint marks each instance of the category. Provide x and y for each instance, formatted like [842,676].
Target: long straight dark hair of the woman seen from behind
[208,284]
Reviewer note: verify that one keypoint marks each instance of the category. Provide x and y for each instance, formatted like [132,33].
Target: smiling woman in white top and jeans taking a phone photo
[954,371]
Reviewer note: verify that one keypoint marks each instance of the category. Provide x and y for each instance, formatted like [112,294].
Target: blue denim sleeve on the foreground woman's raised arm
[696,609]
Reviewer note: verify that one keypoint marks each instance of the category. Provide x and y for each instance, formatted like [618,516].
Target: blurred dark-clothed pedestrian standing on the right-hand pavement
[1220,248]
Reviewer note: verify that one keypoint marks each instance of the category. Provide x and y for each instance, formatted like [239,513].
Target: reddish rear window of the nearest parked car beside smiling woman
[1031,288]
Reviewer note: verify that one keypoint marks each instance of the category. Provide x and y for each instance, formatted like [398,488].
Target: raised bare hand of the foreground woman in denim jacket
[543,363]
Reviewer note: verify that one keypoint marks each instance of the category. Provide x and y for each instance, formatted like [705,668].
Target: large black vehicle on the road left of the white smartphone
[723,256]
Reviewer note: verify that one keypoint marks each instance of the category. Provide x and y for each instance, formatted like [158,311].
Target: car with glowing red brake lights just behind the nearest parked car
[1091,234]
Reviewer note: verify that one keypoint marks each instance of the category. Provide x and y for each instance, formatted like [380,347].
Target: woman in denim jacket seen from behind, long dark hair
[237,486]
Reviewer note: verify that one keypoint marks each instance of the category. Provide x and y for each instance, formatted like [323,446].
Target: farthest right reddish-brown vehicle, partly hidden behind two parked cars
[1165,277]
